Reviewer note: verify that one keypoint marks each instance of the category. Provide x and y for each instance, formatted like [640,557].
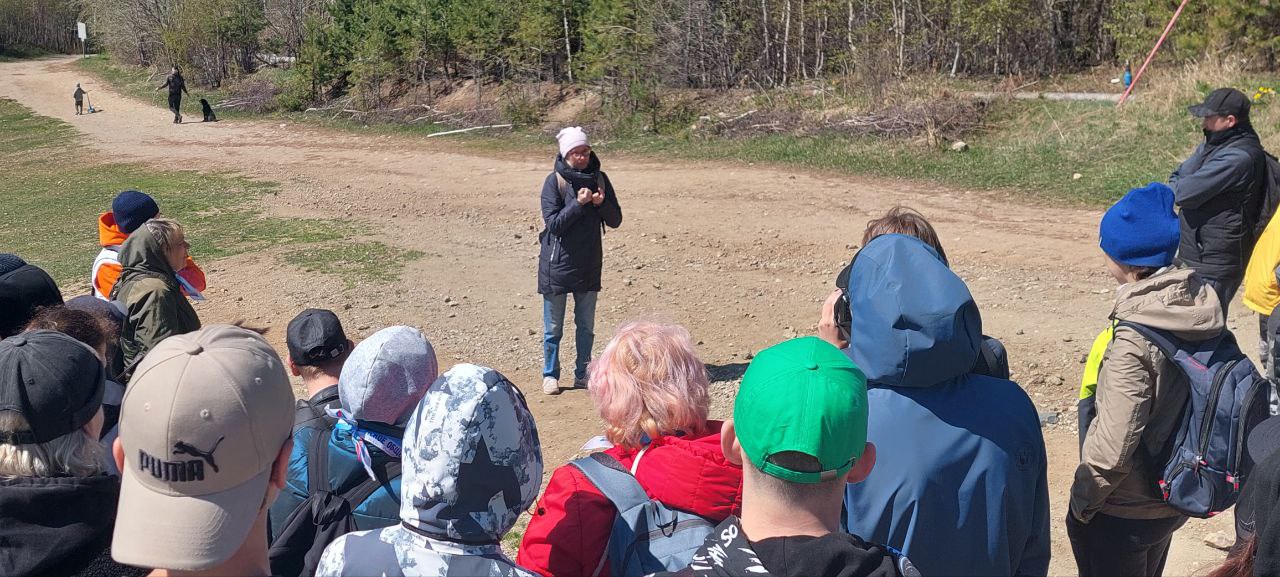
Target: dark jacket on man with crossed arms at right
[1219,191]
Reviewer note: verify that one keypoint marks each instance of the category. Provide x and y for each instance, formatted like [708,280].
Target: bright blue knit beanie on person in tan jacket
[1141,230]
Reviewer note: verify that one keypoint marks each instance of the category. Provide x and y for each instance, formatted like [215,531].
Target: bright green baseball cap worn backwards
[803,396]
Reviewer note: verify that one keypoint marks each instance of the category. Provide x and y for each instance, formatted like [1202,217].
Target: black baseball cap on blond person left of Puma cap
[53,381]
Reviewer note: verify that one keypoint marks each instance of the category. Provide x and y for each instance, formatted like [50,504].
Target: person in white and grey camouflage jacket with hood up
[473,464]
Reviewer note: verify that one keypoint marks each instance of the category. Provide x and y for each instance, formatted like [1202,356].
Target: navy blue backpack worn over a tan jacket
[1209,462]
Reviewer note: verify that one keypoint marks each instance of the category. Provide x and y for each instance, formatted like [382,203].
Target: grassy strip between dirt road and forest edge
[1040,150]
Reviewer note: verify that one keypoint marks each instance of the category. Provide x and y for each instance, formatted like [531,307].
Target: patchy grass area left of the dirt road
[52,199]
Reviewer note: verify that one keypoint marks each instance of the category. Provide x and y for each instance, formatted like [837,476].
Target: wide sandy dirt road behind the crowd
[740,255]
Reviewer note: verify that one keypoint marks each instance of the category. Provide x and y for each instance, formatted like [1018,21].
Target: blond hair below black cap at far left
[76,455]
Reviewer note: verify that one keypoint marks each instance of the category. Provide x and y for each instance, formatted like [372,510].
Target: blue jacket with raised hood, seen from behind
[959,484]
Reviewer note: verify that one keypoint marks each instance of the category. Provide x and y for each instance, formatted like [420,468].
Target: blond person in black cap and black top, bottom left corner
[57,507]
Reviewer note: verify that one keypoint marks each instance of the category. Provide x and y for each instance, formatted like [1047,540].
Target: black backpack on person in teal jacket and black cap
[323,518]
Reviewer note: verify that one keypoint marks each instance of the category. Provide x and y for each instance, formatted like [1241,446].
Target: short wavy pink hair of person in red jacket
[650,382]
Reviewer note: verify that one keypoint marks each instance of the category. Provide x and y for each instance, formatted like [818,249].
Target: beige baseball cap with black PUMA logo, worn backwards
[203,422]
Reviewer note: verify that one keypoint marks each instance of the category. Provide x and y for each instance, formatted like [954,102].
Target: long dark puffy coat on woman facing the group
[573,248]
